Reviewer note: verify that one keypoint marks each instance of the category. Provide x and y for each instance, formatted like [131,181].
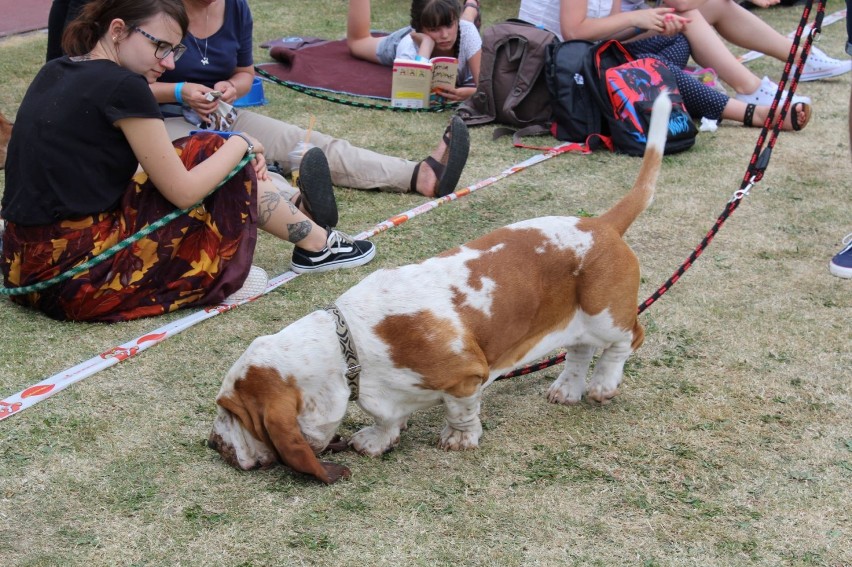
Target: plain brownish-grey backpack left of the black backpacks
[512,89]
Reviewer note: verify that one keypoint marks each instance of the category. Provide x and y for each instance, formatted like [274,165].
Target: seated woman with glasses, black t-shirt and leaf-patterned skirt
[73,188]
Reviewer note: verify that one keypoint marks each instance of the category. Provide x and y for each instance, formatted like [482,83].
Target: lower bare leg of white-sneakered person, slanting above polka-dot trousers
[709,50]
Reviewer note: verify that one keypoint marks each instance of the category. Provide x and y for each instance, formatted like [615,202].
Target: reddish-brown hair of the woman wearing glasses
[81,35]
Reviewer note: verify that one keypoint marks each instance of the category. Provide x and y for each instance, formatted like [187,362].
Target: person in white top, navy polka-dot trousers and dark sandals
[656,33]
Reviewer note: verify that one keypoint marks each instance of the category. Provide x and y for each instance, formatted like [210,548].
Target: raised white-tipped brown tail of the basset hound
[623,213]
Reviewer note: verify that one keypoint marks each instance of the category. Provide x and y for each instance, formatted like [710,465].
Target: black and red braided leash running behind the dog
[754,173]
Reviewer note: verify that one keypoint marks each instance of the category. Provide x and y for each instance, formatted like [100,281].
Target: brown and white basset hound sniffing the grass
[440,331]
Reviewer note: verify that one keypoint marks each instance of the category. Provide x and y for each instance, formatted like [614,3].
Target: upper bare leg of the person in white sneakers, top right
[745,29]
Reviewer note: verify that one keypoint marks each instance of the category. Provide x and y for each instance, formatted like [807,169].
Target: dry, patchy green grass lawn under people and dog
[730,444]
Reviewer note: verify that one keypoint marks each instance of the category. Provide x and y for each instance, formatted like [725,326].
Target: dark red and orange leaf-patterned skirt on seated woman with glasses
[197,259]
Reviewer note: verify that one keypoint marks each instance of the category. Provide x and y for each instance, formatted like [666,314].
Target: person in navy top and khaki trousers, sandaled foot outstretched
[219,58]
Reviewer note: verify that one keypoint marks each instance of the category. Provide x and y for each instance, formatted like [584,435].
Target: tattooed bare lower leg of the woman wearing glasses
[281,218]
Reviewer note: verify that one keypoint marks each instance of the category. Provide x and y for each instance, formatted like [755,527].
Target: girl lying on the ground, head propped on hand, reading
[437,30]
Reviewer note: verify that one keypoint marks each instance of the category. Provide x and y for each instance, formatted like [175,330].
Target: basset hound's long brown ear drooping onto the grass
[271,403]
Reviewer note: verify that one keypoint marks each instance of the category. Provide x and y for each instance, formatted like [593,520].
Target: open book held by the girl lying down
[416,83]
